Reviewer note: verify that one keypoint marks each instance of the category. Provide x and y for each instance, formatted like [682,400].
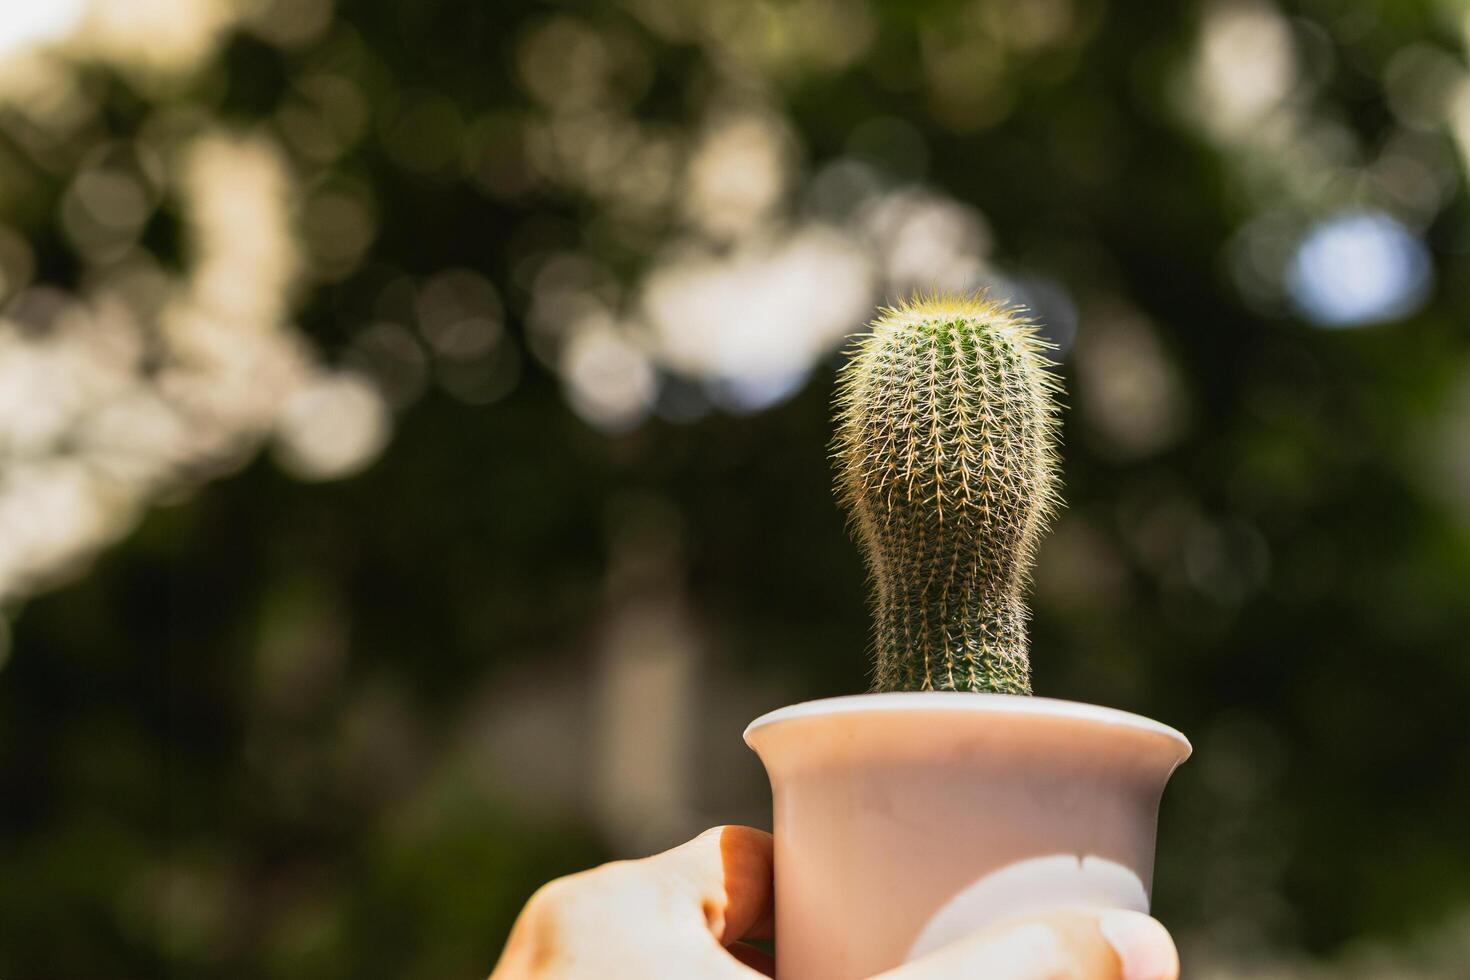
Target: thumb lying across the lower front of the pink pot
[1087,945]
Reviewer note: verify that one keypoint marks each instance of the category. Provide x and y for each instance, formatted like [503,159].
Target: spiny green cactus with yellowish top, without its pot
[947,465]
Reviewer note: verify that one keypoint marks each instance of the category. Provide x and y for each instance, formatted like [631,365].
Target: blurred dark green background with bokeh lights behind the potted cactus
[412,428]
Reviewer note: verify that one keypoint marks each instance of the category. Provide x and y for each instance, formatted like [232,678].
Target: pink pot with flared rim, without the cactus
[908,821]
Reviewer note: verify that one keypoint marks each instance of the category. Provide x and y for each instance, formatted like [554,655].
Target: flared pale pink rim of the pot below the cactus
[968,703]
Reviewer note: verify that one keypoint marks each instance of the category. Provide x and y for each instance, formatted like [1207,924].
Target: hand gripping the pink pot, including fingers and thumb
[686,913]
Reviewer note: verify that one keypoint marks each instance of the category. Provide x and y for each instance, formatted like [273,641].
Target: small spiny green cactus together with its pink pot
[947,797]
